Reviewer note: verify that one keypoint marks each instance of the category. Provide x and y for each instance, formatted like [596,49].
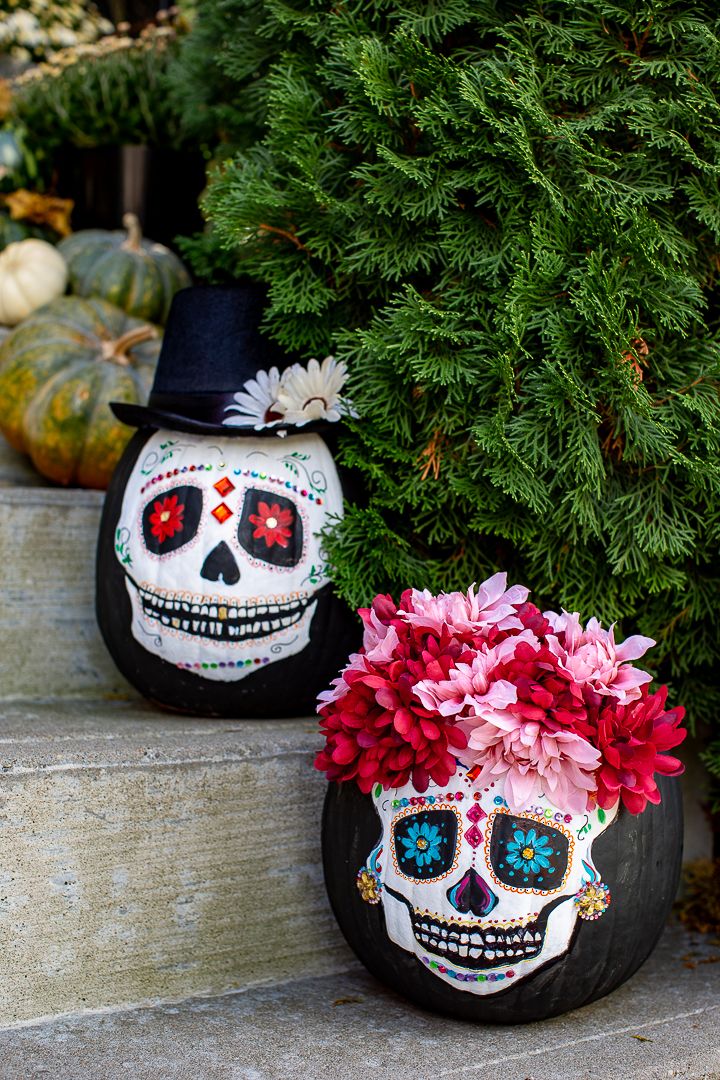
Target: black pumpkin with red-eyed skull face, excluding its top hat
[213,593]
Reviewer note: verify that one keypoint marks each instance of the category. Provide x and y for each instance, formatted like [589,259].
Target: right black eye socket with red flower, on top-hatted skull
[270,529]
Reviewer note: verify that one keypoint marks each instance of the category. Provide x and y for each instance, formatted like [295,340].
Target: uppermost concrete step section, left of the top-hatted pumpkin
[49,640]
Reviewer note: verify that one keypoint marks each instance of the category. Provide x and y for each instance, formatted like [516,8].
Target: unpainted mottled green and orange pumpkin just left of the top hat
[59,371]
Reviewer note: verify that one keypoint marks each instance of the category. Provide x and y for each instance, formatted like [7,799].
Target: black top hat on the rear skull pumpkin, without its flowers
[212,346]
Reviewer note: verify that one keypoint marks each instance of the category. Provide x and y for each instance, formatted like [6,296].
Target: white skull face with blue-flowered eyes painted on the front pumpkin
[480,895]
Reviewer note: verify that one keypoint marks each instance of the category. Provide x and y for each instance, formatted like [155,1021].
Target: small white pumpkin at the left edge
[32,274]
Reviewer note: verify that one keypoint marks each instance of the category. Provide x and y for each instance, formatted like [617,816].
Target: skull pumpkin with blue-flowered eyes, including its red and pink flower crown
[498,845]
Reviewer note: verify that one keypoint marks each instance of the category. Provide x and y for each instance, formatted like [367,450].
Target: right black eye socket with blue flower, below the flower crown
[525,855]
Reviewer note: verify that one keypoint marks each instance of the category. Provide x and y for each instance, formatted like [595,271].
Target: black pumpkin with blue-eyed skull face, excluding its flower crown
[481,931]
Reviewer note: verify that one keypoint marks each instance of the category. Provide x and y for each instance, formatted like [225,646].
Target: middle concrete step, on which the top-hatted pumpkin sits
[148,857]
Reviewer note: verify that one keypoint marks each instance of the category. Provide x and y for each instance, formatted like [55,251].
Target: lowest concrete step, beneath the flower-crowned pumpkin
[663,1023]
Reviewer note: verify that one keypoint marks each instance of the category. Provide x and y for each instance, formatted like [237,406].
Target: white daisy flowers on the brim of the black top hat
[296,397]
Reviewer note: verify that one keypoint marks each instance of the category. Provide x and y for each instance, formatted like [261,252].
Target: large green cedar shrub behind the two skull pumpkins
[506,218]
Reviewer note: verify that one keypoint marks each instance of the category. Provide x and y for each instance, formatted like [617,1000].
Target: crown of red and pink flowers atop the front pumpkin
[490,682]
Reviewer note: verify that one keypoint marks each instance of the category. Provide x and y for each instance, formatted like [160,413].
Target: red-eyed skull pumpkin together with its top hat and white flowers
[213,588]
